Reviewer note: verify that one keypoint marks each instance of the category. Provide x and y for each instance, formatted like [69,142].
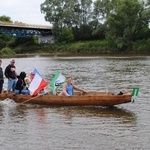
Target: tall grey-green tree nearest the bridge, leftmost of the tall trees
[59,14]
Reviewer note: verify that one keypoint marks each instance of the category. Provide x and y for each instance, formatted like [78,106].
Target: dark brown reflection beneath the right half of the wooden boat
[99,112]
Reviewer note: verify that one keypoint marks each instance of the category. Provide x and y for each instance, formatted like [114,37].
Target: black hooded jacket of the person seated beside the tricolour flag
[20,83]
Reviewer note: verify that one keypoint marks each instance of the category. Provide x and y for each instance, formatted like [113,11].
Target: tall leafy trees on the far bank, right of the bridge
[120,22]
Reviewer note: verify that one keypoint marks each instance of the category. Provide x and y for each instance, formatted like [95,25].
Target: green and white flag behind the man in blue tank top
[57,80]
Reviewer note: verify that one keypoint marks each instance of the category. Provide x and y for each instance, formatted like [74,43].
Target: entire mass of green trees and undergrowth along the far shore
[90,25]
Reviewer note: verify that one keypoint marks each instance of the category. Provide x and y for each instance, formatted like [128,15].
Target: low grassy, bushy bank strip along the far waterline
[78,48]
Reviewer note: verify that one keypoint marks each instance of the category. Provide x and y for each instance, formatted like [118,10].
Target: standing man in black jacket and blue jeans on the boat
[10,73]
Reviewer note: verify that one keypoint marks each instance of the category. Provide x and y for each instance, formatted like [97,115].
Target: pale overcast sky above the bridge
[25,11]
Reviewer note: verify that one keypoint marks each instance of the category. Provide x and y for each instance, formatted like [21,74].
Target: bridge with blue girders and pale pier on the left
[23,30]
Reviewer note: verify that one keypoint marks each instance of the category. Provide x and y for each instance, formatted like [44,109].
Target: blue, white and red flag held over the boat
[37,84]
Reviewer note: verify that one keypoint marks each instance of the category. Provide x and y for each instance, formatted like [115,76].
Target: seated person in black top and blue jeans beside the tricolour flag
[20,85]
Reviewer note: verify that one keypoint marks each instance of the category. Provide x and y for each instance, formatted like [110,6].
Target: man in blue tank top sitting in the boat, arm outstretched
[68,87]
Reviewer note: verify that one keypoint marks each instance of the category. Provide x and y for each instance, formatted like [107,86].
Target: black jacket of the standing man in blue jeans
[9,73]
